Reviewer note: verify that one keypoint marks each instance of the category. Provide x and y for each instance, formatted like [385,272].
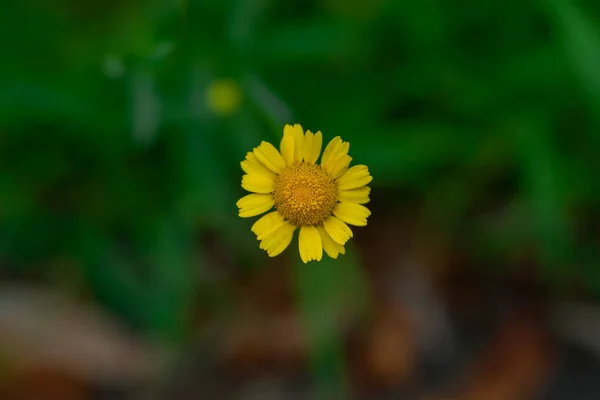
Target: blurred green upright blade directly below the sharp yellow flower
[326,292]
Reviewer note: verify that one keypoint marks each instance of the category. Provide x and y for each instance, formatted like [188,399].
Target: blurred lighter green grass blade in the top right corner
[581,39]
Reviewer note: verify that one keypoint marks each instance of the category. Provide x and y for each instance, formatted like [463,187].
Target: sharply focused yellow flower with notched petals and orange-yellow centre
[320,199]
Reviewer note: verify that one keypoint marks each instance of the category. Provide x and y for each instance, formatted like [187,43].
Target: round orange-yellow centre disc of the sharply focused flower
[305,194]
